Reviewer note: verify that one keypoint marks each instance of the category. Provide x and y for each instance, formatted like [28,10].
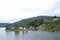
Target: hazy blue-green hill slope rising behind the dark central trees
[25,21]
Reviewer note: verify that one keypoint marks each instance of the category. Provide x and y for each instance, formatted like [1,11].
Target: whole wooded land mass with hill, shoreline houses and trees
[47,23]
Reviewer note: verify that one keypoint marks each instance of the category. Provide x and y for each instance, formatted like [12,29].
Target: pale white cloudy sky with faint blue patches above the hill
[15,10]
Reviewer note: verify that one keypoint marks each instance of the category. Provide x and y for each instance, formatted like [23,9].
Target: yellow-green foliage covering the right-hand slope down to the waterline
[52,25]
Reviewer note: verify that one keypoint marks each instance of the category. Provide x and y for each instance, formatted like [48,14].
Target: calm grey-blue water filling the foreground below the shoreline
[30,35]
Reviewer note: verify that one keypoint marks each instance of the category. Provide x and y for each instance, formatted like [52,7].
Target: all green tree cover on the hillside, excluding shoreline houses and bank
[47,23]
